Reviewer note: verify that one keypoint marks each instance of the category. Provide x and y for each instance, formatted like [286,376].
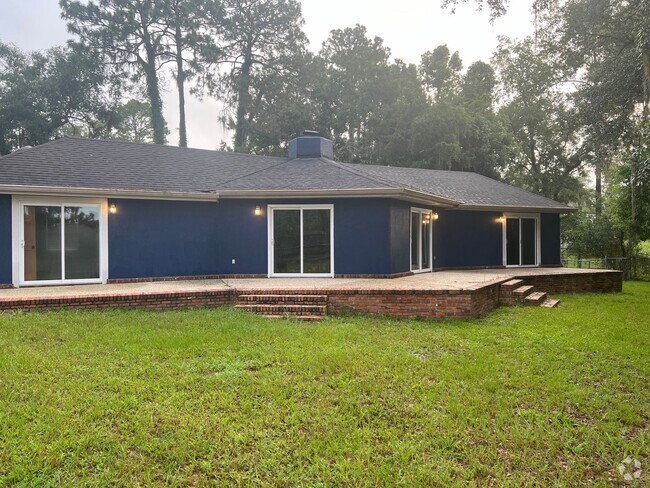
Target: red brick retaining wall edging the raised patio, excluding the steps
[402,303]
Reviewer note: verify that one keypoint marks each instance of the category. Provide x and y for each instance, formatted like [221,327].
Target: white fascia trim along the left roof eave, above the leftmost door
[104,193]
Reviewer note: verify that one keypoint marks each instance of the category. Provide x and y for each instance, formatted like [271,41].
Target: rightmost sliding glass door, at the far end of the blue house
[521,241]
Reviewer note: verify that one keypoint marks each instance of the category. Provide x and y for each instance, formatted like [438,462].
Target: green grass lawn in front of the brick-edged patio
[526,396]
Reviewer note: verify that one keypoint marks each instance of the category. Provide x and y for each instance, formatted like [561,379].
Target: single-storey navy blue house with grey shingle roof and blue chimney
[76,211]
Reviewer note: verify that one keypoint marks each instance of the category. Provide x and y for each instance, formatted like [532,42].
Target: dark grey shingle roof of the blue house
[111,165]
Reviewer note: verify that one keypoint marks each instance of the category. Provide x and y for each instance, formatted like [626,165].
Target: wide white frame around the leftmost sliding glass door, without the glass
[18,204]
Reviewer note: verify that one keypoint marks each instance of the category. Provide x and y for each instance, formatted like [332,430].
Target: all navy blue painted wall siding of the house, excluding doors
[371,236]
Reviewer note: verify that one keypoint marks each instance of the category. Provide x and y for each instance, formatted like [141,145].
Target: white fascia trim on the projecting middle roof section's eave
[399,193]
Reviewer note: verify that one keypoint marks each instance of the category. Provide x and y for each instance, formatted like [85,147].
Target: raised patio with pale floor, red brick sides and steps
[439,295]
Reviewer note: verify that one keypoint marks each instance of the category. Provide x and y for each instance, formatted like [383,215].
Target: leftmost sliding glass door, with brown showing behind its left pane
[60,243]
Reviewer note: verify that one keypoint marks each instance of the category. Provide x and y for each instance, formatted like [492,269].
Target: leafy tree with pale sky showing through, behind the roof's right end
[542,121]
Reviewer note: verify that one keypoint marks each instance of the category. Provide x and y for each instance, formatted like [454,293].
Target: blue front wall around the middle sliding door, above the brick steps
[150,238]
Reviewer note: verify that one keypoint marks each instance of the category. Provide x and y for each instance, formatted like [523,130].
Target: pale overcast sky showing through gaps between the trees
[408,27]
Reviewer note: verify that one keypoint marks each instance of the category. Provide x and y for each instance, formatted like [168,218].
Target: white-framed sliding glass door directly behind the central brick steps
[301,241]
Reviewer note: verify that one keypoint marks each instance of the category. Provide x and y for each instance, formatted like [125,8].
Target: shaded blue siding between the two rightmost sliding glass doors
[463,238]
